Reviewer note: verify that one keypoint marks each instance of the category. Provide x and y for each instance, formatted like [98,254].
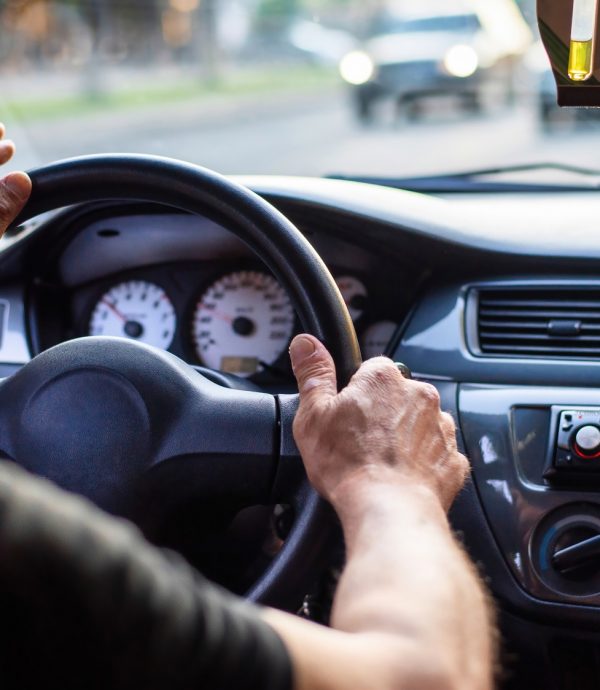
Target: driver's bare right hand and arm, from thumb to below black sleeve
[409,611]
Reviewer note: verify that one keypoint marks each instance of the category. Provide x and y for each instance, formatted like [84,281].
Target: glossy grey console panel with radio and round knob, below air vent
[537,472]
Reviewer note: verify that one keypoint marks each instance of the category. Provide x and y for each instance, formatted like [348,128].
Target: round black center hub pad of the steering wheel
[99,448]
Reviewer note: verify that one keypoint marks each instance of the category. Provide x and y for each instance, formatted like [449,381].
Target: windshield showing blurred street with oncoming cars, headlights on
[301,87]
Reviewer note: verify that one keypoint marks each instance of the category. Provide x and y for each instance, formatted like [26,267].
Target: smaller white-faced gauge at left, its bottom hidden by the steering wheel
[137,310]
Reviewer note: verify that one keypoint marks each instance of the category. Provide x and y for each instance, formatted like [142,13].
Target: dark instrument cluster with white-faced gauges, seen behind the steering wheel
[187,285]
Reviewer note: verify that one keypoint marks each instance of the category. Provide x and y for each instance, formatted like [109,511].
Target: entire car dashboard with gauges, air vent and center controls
[494,299]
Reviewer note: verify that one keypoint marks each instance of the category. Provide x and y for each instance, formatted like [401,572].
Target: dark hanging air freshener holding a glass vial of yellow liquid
[569,29]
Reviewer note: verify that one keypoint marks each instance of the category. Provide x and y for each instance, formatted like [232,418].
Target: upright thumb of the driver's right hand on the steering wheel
[313,367]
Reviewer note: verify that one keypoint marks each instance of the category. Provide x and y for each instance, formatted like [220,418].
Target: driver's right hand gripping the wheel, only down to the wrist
[380,428]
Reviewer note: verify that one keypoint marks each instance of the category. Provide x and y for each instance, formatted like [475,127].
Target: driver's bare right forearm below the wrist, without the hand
[407,577]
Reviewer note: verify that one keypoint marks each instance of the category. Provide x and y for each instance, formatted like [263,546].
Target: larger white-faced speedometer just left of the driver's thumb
[242,322]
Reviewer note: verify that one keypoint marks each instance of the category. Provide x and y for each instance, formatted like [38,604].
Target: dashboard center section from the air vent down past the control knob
[530,516]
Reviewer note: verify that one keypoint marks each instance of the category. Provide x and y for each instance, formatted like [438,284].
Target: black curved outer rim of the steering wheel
[283,249]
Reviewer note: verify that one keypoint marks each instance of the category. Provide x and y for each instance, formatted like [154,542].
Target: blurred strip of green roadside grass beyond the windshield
[239,83]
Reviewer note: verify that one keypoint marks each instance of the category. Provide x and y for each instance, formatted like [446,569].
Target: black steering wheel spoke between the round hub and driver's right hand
[221,448]
